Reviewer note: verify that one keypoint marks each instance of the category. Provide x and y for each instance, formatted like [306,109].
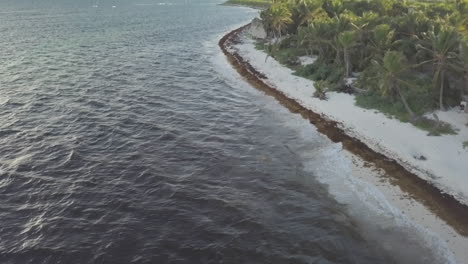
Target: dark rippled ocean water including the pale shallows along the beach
[126,137]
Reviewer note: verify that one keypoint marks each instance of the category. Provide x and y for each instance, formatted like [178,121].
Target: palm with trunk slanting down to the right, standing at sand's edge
[391,75]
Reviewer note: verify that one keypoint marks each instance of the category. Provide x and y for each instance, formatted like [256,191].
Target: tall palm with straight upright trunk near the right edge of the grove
[442,47]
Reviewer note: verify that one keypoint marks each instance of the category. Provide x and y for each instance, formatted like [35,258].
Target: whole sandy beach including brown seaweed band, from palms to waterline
[369,138]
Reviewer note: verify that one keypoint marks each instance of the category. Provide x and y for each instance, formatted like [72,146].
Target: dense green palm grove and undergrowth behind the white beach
[409,57]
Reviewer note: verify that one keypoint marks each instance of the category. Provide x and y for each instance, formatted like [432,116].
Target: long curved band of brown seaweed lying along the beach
[446,207]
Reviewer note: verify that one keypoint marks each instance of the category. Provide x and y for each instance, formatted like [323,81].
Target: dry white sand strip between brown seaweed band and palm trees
[440,160]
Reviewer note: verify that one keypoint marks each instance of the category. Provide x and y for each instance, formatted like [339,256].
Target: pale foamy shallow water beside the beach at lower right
[383,222]
